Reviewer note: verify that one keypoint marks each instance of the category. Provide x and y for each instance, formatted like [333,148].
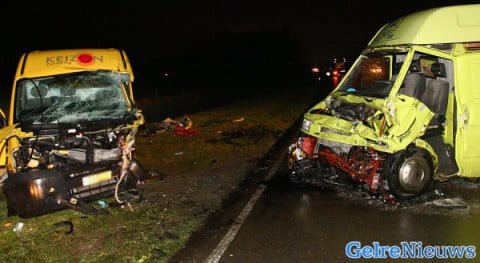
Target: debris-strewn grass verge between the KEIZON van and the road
[198,173]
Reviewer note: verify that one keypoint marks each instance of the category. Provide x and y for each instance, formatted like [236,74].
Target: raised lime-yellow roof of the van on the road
[452,24]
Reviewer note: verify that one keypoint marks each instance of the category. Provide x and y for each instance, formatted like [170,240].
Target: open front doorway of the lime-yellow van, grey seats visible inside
[431,80]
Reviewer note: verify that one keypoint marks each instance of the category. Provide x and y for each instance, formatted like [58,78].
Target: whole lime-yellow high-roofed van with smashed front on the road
[407,112]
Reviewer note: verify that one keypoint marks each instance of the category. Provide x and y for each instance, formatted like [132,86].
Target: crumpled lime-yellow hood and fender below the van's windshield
[390,127]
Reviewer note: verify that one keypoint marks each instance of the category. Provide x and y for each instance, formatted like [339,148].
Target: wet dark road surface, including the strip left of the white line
[291,224]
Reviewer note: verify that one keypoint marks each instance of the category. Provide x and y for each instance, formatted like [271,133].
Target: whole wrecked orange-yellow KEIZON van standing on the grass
[70,132]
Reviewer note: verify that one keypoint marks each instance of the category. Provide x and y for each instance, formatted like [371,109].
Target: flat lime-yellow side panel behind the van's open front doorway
[468,115]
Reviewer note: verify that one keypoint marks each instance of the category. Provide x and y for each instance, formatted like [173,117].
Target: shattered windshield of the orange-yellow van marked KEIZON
[70,98]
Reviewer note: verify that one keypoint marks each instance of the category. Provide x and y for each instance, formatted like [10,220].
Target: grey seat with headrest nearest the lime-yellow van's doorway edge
[435,96]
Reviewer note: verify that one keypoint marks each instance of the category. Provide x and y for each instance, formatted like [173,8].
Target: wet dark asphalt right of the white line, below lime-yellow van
[312,225]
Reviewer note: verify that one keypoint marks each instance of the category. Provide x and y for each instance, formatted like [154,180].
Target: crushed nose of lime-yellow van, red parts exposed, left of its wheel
[328,141]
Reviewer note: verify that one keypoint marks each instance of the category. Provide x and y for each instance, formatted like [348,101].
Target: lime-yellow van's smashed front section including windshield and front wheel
[367,132]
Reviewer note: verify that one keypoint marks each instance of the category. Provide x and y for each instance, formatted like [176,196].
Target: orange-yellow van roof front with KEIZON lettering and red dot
[52,62]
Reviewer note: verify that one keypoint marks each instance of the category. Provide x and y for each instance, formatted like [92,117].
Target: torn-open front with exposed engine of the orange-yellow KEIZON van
[70,166]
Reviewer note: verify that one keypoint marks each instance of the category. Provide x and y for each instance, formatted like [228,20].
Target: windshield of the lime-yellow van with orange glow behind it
[373,75]
